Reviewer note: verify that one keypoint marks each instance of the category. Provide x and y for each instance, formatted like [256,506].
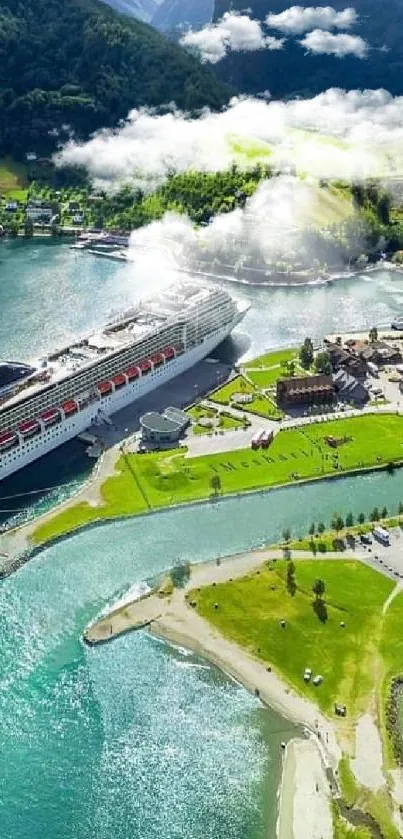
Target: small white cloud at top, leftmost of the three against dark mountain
[233,32]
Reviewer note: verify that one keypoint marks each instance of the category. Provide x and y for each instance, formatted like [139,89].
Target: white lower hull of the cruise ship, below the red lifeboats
[53,437]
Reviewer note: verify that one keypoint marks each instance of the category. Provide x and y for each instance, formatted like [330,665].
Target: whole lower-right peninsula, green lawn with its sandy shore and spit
[318,640]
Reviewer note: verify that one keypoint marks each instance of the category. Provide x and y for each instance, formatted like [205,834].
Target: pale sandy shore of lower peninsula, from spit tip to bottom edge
[308,777]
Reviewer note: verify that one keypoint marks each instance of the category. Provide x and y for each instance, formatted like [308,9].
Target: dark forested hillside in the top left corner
[77,64]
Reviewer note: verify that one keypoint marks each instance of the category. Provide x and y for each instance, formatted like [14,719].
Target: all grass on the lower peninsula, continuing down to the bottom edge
[350,635]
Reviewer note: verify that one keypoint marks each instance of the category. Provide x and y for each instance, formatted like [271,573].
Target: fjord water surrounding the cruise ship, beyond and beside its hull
[71,292]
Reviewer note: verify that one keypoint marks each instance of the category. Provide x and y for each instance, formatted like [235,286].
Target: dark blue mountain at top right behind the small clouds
[291,71]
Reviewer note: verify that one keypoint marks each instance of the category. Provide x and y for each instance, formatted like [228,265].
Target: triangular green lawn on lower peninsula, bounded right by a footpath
[250,610]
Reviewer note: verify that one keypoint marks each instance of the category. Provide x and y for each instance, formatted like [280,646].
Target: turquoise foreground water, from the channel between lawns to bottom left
[126,740]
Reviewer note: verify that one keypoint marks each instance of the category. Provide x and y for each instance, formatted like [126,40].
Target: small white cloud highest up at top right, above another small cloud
[299,19]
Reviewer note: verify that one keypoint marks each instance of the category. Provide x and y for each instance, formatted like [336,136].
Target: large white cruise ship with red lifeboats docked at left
[43,404]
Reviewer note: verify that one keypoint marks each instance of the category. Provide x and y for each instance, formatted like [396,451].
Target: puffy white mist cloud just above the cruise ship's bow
[272,230]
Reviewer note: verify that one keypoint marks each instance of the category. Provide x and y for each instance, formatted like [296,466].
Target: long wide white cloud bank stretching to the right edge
[335,134]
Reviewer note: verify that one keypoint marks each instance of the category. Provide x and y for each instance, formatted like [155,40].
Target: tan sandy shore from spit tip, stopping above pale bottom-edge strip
[173,620]
